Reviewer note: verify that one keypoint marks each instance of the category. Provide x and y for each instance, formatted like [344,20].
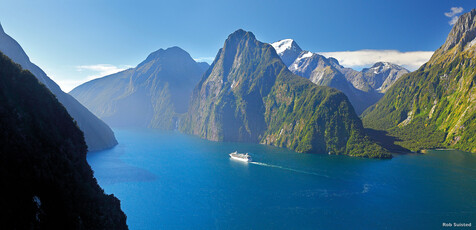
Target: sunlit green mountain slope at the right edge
[435,106]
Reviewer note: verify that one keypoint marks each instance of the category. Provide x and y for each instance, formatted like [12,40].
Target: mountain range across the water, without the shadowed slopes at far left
[246,95]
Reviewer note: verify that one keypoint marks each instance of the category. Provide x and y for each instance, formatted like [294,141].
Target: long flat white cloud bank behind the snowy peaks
[364,58]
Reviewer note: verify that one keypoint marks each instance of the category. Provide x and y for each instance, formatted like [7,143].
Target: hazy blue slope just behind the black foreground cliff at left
[98,135]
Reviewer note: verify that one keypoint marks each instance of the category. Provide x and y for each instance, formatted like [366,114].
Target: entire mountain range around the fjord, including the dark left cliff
[274,94]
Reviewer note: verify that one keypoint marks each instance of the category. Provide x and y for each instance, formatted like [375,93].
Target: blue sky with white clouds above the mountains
[77,41]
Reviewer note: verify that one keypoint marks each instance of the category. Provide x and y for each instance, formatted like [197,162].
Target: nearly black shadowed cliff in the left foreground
[46,181]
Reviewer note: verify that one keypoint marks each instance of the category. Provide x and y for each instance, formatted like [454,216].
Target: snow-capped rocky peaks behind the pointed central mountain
[362,88]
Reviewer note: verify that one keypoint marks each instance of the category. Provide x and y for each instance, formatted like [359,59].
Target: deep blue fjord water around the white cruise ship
[168,180]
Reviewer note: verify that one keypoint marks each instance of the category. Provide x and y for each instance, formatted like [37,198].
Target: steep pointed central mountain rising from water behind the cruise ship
[249,95]
